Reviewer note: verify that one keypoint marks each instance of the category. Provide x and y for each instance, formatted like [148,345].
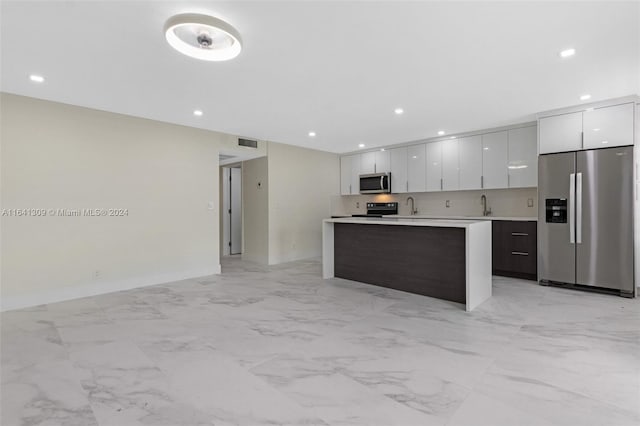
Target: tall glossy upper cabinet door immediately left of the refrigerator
[523,158]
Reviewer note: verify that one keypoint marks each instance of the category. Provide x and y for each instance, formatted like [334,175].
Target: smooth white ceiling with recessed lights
[336,68]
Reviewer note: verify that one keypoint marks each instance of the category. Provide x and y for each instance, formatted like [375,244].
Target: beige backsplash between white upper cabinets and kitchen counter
[516,202]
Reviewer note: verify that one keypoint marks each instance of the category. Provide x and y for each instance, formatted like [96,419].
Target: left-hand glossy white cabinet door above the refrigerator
[561,133]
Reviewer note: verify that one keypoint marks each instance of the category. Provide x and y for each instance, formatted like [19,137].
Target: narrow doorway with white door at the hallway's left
[231,210]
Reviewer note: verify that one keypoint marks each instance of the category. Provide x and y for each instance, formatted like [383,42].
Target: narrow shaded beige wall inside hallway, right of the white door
[255,210]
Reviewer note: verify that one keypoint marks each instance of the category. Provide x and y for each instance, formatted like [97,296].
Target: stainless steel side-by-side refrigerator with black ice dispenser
[585,221]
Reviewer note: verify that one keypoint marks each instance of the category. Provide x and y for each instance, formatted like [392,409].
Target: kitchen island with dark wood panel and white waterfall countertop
[446,259]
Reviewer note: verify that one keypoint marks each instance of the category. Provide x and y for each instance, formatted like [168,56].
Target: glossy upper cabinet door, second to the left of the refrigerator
[494,160]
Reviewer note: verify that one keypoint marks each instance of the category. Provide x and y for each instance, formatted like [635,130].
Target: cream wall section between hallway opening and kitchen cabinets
[301,184]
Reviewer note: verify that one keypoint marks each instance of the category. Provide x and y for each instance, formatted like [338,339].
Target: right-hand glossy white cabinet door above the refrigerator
[610,126]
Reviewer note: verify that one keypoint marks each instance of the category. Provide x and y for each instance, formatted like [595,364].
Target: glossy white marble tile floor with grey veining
[278,345]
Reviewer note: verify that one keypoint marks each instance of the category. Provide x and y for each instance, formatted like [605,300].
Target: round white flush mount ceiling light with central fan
[202,37]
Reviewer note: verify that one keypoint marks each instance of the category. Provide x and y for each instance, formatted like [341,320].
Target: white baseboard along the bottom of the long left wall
[94,289]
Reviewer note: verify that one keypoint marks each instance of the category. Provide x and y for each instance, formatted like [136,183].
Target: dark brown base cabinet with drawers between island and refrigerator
[515,249]
